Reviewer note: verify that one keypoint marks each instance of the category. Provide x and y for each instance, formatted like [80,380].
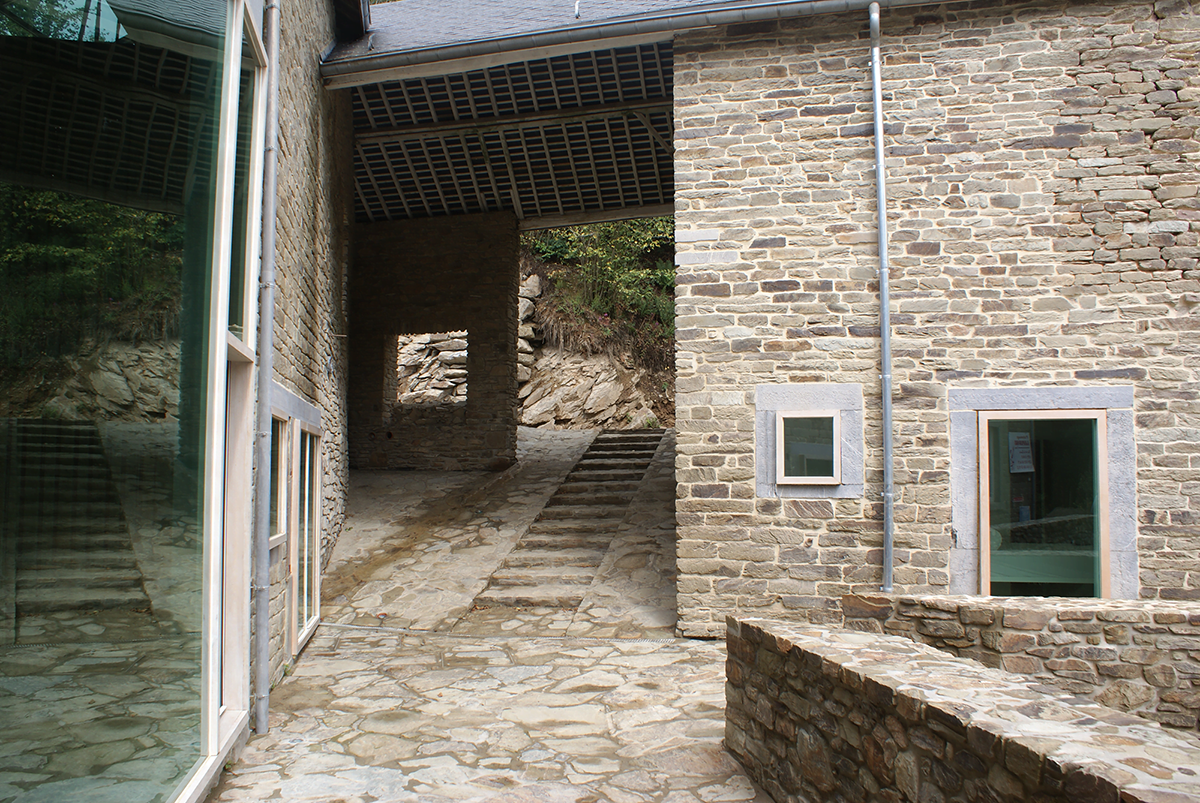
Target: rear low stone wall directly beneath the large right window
[1137,656]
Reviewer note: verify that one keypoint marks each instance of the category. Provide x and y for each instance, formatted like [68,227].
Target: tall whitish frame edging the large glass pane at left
[225,682]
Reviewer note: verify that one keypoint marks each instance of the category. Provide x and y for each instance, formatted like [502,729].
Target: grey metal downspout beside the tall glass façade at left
[262,580]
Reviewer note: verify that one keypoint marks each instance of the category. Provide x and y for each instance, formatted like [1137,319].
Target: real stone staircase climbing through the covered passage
[556,561]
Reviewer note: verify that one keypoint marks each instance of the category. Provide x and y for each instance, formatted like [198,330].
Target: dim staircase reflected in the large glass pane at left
[74,546]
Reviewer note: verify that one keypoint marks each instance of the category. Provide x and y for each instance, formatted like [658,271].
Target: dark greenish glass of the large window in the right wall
[1045,507]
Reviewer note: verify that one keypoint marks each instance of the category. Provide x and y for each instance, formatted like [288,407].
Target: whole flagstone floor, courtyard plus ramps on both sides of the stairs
[410,693]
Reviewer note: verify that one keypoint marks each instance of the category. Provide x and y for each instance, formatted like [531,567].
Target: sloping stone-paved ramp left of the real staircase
[419,547]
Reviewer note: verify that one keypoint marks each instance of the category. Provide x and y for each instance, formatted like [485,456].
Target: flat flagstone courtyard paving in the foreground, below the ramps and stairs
[377,715]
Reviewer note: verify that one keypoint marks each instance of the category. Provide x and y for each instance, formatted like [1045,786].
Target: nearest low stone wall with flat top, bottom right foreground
[818,715]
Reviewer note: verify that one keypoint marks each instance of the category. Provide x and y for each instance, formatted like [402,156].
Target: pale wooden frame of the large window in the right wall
[1102,468]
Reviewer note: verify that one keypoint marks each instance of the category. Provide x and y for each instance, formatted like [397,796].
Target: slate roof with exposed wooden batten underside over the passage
[520,106]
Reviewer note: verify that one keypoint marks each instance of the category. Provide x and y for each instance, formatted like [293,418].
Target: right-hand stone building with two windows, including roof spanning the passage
[1040,190]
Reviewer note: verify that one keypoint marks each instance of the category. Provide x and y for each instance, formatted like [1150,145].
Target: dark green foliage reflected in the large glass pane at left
[73,267]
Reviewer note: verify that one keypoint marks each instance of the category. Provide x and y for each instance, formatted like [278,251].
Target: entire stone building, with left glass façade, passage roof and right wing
[1041,197]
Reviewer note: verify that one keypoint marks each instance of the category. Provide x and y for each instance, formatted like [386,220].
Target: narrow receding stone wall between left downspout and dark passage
[313,254]
